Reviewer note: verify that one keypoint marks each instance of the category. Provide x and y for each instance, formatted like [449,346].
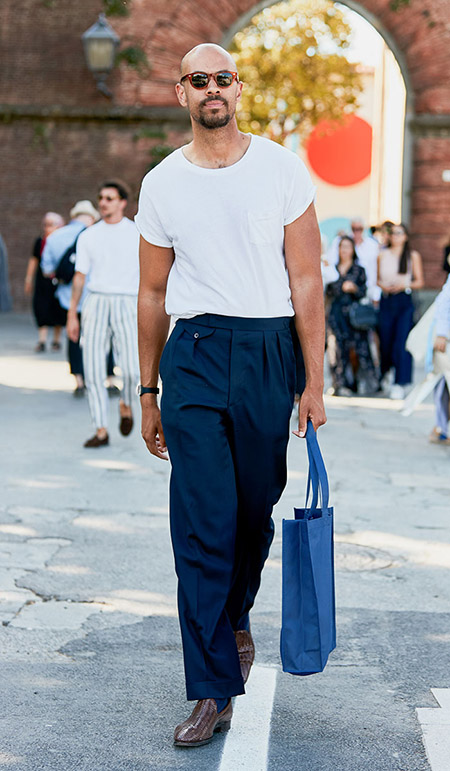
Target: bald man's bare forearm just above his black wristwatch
[153,328]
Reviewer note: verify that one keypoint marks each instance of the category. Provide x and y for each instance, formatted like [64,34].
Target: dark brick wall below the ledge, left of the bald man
[50,172]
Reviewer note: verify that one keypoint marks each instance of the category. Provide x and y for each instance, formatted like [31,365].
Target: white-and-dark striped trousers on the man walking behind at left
[106,319]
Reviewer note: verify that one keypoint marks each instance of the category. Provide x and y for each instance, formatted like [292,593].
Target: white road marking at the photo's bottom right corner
[435,724]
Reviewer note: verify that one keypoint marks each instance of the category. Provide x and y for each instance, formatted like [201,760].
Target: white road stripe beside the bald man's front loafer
[247,744]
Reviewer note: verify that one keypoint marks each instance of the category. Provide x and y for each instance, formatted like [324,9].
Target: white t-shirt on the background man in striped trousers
[109,256]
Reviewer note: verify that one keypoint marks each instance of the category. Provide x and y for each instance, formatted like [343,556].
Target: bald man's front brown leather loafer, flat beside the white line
[203,723]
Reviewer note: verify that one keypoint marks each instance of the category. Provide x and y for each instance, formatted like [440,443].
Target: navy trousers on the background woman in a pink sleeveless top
[395,322]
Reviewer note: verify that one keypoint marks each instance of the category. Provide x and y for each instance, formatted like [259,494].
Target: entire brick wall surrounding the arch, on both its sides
[49,162]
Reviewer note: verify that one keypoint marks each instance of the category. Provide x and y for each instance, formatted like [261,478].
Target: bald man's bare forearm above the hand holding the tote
[307,300]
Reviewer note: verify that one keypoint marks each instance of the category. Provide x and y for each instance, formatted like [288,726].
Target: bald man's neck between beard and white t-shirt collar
[216,148]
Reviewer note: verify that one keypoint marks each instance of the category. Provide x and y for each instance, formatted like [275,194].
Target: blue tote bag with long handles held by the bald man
[308,628]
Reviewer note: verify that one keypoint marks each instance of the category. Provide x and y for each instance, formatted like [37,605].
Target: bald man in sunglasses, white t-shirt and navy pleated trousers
[230,246]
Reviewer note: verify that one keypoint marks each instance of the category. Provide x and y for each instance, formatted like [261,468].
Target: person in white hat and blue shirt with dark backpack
[57,258]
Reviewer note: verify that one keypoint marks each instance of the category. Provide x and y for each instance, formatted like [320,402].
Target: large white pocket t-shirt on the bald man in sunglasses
[226,227]
